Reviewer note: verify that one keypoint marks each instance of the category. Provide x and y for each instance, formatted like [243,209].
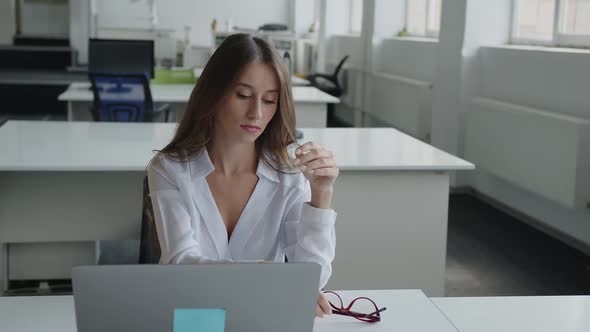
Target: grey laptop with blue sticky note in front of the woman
[256,297]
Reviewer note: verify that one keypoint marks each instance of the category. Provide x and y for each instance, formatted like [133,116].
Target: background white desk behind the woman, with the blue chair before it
[310,103]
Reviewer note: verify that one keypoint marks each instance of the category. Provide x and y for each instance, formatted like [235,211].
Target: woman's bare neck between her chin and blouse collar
[233,159]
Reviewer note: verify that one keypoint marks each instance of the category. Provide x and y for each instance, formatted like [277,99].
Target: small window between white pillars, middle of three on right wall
[423,17]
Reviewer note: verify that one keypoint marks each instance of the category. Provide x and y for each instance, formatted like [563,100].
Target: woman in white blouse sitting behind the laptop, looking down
[225,189]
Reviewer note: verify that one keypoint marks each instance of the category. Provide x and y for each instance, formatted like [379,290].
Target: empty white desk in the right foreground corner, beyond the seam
[518,314]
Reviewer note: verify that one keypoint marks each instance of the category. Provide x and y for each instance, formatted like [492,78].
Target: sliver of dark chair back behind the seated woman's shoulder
[149,247]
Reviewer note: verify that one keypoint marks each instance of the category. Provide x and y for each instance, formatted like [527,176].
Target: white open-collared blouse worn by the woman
[277,220]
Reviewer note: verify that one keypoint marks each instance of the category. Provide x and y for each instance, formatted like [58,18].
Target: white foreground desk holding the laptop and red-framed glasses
[407,310]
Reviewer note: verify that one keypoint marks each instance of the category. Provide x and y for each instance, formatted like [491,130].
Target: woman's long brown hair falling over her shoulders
[196,128]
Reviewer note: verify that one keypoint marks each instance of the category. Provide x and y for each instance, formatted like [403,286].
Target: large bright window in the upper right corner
[551,22]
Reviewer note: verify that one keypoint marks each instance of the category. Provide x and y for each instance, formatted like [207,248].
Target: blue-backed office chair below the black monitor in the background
[124,98]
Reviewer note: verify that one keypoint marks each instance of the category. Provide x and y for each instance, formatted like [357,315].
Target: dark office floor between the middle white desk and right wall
[490,253]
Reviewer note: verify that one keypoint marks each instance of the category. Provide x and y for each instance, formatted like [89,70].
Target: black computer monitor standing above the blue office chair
[114,56]
